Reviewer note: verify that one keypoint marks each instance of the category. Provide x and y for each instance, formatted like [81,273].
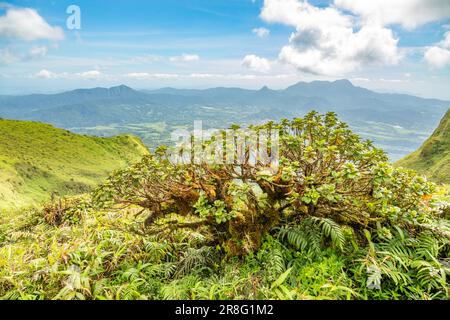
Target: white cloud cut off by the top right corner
[408,13]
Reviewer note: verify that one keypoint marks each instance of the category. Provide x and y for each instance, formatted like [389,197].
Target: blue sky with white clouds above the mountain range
[400,46]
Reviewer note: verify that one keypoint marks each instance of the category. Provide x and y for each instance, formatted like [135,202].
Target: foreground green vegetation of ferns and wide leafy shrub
[334,220]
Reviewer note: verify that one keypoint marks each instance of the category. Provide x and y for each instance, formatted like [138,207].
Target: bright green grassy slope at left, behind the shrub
[38,160]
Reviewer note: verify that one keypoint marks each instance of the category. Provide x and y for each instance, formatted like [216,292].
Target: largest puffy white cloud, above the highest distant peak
[325,42]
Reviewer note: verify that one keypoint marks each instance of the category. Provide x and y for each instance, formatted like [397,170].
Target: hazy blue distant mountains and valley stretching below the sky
[397,123]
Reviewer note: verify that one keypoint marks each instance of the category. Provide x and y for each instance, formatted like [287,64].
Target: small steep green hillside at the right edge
[433,157]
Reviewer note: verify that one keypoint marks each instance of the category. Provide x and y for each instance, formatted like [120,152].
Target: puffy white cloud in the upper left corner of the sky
[26,24]
